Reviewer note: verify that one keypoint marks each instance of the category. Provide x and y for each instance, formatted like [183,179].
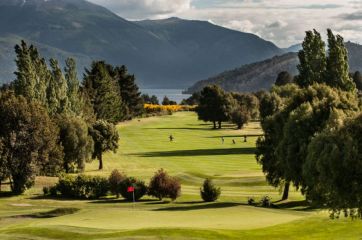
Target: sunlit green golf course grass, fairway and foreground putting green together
[196,153]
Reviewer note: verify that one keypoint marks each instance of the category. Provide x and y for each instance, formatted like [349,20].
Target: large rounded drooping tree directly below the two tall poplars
[288,132]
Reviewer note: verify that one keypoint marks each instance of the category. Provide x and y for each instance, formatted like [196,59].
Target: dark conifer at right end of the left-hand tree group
[129,91]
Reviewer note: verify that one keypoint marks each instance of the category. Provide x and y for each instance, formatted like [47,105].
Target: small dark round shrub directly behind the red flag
[140,189]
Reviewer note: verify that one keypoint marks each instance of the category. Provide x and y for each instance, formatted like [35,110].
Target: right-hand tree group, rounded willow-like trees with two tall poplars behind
[312,126]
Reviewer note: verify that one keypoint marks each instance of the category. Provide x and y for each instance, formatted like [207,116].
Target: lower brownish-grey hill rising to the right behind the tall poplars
[262,75]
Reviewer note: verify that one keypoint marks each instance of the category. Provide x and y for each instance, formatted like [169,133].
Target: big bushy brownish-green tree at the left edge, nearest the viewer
[29,140]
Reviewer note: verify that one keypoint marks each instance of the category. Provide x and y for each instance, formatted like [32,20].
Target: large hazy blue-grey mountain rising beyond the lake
[169,53]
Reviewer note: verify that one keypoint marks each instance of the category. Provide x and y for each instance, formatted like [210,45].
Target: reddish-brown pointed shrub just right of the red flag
[164,186]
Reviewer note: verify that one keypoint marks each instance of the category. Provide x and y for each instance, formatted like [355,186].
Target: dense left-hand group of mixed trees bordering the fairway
[51,122]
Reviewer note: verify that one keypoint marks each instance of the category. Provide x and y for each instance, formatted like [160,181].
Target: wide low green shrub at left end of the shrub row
[81,186]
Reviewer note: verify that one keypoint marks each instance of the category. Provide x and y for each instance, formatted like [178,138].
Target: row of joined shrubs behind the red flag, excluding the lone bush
[93,187]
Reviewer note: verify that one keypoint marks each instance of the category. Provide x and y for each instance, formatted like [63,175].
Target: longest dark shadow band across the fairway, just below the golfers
[197,152]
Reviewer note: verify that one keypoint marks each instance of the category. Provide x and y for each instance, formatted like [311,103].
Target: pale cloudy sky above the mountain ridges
[281,21]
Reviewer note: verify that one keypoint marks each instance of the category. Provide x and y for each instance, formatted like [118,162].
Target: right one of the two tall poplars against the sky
[337,70]
